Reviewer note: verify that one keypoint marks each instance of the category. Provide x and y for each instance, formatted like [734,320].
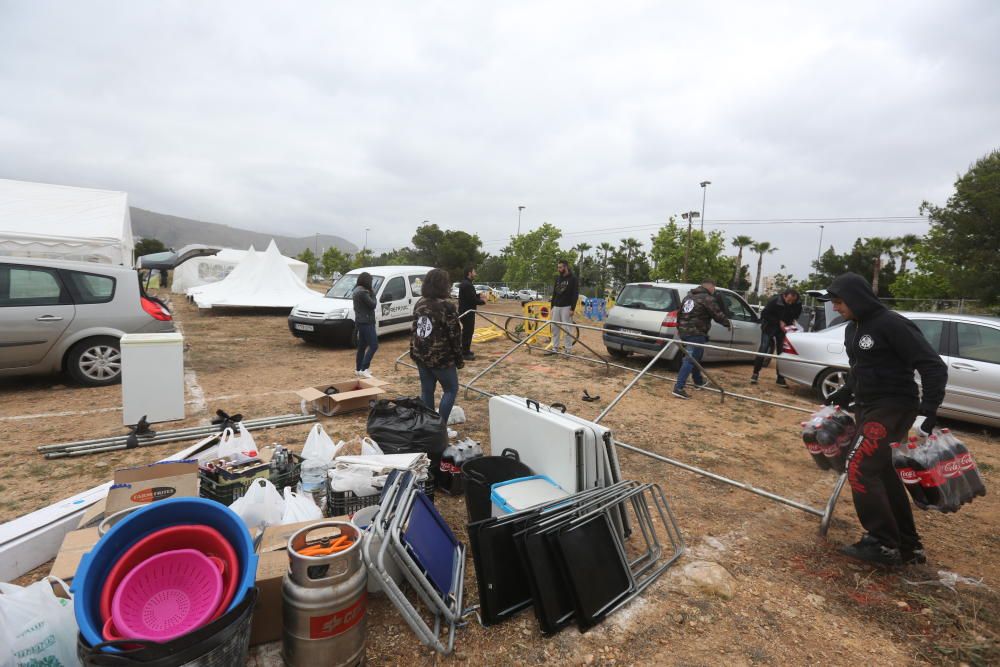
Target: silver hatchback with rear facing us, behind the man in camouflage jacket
[651,309]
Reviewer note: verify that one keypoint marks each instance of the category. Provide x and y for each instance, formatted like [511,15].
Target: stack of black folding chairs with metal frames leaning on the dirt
[576,559]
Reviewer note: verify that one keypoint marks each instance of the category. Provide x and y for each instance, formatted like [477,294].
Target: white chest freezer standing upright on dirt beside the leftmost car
[152,377]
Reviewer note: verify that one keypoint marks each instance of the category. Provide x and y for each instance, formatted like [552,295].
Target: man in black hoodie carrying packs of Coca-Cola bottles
[884,349]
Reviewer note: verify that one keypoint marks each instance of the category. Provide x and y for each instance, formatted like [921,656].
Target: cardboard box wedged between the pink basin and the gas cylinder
[271,567]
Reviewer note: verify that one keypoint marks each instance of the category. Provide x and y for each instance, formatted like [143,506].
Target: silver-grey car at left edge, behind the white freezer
[68,316]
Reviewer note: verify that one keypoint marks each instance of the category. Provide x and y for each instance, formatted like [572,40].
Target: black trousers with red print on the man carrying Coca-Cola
[880,499]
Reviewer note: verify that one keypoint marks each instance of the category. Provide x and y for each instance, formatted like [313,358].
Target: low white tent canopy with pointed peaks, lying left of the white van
[261,280]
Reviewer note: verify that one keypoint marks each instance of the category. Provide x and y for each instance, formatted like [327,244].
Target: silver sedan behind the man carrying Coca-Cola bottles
[969,344]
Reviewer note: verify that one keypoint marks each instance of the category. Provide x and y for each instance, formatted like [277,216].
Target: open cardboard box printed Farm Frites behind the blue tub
[145,484]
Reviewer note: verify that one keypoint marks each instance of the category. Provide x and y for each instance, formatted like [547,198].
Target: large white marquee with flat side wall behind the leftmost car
[58,221]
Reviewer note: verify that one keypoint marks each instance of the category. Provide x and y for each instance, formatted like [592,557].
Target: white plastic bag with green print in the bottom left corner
[36,626]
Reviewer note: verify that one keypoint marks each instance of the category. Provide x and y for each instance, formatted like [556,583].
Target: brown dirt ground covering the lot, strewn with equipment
[795,601]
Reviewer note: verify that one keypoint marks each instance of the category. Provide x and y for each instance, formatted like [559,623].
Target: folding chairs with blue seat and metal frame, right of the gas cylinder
[421,545]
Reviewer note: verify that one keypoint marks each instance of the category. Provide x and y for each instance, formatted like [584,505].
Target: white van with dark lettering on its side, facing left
[330,318]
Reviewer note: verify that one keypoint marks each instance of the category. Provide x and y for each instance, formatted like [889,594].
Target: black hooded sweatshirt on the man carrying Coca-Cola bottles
[884,349]
